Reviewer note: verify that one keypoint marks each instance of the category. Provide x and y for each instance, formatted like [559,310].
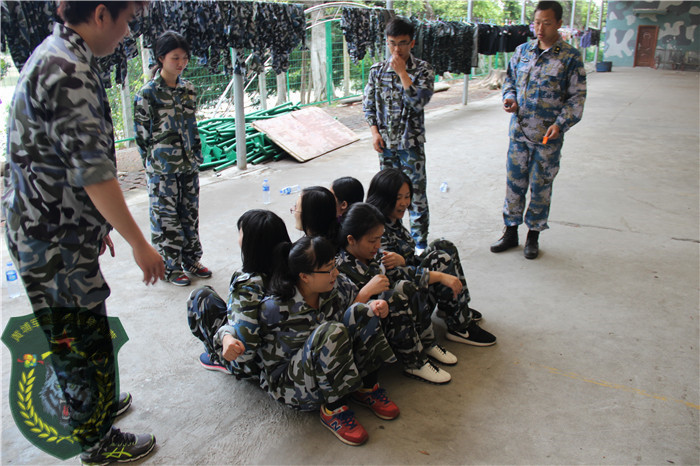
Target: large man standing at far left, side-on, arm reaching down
[61,198]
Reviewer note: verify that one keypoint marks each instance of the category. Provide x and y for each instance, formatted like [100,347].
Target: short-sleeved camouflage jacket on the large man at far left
[60,139]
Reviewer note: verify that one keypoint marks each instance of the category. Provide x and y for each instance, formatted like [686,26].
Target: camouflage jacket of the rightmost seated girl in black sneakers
[397,238]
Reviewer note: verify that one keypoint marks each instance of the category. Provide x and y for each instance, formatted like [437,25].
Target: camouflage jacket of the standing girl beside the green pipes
[166,127]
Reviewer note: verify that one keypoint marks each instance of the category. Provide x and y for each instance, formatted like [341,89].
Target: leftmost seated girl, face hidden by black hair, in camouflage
[210,318]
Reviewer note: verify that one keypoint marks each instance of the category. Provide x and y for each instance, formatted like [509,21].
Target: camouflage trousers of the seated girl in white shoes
[400,326]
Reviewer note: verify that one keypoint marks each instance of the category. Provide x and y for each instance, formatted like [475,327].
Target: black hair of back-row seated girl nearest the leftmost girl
[318,213]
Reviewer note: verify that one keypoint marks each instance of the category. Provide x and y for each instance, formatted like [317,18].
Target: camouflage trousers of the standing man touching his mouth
[412,163]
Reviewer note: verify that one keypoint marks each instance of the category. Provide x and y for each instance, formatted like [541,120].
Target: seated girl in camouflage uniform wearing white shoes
[359,260]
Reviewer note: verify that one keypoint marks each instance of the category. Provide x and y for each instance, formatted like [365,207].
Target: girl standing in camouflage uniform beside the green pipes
[168,140]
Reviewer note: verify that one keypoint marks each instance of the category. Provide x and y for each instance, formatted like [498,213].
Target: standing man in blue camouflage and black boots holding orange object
[545,90]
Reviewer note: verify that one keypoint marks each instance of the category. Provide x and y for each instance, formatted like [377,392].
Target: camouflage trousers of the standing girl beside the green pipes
[174,208]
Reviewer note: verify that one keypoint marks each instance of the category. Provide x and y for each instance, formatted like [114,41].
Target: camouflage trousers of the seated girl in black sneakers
[442,256]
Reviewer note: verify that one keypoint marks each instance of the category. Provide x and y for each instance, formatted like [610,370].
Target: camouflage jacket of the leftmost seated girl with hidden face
[246,292]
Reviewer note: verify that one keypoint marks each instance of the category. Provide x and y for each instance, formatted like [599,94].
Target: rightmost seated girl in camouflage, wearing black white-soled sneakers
[437,271]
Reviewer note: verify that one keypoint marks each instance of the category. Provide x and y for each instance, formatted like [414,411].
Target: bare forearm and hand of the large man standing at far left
[109,201]
